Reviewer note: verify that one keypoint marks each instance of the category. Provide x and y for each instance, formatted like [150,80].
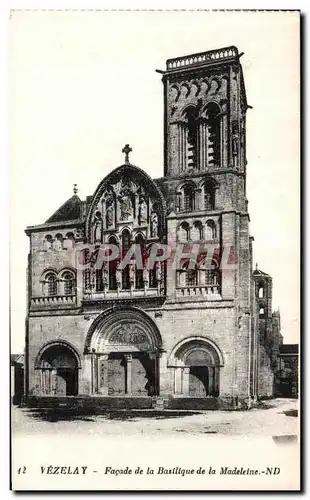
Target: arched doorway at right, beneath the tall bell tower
[196,362]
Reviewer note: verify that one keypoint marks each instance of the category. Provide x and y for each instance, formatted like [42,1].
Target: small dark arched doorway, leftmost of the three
[58,365]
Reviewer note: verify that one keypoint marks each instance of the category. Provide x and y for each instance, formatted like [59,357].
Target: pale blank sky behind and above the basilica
[83,84]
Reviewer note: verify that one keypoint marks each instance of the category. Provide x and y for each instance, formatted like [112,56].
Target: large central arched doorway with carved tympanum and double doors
[125,347]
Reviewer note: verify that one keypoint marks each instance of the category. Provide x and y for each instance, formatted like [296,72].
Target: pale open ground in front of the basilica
[269,420]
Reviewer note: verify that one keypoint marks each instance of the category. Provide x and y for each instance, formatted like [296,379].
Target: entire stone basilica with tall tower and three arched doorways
[191,331]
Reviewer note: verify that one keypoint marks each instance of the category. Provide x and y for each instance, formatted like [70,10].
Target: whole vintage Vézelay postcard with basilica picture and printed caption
[154,164]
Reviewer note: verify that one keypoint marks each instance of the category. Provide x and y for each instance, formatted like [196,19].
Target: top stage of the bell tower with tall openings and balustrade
[204,113]
